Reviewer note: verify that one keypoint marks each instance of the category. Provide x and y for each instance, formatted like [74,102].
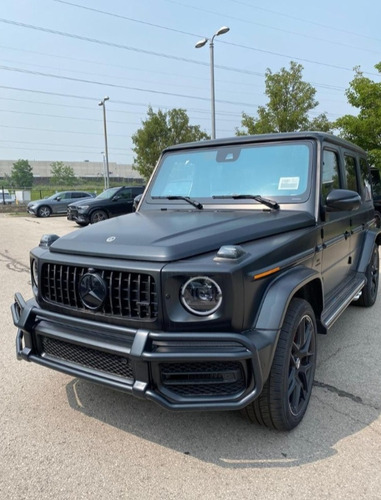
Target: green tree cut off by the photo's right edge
[365,128]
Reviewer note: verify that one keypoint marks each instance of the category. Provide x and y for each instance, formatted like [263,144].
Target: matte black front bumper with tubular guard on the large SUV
[179,371]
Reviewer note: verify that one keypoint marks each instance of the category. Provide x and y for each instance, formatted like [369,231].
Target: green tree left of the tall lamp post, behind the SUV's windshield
[160,130]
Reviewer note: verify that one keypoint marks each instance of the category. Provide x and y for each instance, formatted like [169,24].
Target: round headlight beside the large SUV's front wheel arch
[201,295]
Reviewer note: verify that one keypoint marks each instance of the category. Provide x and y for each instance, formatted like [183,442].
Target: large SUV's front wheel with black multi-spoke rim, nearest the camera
[286,393]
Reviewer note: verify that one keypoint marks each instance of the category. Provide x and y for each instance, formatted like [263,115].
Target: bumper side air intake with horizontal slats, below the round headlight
[208,378]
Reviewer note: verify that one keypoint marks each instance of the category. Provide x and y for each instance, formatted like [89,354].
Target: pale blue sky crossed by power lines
[60,58]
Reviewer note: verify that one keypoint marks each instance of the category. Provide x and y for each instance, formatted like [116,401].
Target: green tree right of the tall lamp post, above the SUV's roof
[290,101]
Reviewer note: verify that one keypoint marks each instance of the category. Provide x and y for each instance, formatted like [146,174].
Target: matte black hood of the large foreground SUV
[165,236]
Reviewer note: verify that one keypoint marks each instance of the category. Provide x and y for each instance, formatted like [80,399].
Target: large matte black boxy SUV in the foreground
[211,294]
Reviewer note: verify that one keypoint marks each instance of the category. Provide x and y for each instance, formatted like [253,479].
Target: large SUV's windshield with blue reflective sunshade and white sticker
[279,171]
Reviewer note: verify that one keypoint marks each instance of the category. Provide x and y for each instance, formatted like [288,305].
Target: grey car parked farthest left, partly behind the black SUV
[56,204]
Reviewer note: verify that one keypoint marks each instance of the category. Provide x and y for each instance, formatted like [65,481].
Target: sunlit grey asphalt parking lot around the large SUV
[65,438]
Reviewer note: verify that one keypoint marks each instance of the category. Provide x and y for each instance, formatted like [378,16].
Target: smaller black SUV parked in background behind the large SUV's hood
[111,203]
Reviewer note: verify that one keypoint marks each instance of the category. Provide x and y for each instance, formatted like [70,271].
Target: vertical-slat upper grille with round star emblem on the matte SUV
[129,295]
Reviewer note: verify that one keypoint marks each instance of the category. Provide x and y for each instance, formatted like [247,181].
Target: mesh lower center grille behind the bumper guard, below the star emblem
[87,357]
